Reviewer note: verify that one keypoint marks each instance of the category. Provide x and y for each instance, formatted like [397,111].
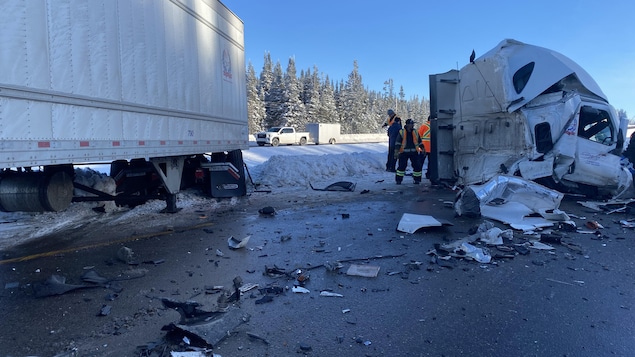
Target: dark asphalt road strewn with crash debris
[570,301]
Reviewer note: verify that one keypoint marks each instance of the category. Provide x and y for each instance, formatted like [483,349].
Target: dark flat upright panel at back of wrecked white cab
[443,87]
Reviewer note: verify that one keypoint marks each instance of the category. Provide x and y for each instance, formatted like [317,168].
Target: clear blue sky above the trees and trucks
[407,40]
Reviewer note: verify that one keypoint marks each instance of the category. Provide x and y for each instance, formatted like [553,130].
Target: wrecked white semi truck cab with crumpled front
[526,110]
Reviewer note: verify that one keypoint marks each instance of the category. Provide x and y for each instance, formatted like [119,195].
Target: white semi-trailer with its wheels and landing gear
[150,86]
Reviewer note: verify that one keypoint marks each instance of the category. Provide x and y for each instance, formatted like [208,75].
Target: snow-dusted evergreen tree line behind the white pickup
[286,98]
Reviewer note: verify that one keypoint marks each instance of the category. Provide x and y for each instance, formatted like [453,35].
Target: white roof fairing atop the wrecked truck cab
[549,68]
